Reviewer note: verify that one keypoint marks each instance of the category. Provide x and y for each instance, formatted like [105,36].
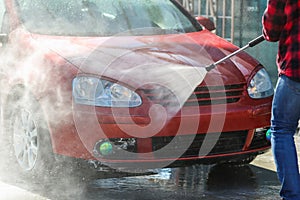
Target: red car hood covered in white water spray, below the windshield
[169,60]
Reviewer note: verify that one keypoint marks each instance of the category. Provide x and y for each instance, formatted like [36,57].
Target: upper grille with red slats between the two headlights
[202,96]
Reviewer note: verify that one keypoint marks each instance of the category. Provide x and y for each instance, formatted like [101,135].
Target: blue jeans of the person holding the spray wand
[284,122]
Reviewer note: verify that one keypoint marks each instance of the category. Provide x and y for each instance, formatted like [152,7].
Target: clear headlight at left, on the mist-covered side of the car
[98,92]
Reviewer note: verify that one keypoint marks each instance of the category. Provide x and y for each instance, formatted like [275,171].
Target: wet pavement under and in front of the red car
[255,181]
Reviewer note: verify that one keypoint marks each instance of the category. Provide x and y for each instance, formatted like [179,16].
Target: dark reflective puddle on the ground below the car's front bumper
[196,182]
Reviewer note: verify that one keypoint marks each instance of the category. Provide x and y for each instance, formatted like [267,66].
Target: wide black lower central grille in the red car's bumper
[227,142]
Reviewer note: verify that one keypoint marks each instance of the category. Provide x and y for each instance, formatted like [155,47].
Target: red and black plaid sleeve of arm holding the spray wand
[274,19]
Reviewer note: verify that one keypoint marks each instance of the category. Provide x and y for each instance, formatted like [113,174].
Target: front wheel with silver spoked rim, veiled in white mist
[29,143]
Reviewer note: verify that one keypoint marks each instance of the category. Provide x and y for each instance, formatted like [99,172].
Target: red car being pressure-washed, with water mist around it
[121,83]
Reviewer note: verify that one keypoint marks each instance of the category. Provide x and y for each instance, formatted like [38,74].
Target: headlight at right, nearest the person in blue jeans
[260,85]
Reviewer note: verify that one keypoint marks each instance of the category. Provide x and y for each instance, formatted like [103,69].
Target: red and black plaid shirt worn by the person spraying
[281,22]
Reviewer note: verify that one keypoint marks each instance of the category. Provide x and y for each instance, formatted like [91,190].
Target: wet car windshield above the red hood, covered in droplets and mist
[105,17]
